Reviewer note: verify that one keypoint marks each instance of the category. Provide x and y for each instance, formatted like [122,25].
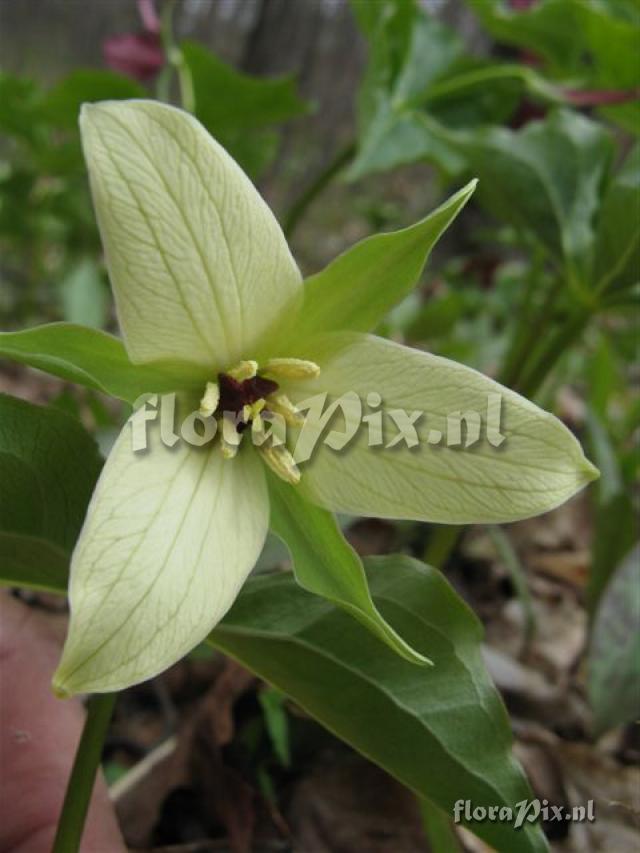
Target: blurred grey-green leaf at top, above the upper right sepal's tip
[418,64]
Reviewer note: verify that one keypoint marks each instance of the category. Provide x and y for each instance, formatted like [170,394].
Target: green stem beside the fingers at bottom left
[83,774]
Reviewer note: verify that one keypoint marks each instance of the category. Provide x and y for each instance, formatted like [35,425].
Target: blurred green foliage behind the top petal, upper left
[51,267]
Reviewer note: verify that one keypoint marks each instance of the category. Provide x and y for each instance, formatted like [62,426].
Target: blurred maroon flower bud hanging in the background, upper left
[140,54]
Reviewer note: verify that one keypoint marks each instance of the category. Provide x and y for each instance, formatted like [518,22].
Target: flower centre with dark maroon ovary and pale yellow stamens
[243,397]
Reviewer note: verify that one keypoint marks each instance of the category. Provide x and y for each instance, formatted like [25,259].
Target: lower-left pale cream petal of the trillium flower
[169,539]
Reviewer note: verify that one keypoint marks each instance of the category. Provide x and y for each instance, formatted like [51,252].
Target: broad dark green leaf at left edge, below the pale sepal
[48,468]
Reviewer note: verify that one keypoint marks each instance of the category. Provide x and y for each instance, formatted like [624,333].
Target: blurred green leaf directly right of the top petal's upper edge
[235,107]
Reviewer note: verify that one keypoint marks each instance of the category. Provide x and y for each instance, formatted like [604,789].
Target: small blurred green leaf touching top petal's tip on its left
[63,103]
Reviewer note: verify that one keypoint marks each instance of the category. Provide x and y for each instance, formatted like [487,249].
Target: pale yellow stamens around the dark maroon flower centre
[273,450]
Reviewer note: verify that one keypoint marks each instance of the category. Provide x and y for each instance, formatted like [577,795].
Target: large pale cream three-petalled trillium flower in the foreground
[203,276]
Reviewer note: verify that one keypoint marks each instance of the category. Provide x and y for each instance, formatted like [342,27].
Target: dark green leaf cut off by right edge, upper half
[617,261]
